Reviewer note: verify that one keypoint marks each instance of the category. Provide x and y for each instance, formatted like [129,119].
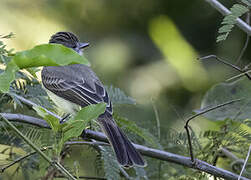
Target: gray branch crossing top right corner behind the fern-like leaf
[224,11]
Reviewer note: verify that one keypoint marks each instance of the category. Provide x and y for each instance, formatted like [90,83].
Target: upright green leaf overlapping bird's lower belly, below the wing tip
[75,126]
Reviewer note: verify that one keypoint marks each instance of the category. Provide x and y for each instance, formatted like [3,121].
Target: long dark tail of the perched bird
[125,152]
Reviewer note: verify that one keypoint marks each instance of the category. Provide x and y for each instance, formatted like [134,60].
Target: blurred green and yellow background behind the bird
[147,48]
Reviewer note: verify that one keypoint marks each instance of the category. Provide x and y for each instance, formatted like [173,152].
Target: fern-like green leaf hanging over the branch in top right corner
[230,20]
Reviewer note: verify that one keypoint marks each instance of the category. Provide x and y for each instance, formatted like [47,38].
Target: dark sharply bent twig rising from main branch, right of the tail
[196,115]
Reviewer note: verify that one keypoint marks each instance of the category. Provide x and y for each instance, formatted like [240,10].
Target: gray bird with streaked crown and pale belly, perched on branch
[72,87]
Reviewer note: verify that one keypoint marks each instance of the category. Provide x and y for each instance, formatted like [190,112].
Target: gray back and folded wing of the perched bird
[76,83]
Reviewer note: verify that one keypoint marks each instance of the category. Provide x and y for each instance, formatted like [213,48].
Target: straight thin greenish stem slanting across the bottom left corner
[33,146]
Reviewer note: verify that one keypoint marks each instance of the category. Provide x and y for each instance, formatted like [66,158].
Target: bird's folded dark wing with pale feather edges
[79,92]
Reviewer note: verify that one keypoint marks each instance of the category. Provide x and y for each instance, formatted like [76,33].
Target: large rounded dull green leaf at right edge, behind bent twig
[224,92]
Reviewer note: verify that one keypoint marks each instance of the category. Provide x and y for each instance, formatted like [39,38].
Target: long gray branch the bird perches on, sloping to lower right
[146,151]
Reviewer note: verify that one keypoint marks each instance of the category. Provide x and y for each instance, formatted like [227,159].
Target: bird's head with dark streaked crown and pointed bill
[69,40]
